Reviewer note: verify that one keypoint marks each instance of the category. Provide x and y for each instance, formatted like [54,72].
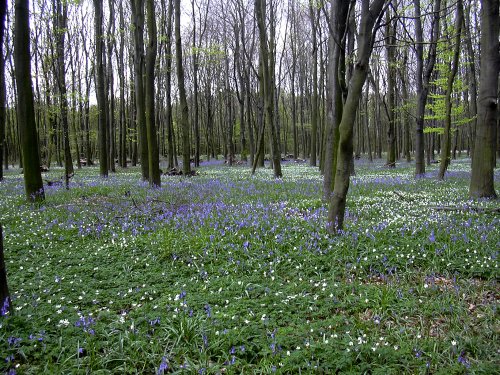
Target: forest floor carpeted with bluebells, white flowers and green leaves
[228,273]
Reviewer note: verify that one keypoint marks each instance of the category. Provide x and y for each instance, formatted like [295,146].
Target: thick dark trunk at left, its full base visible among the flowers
[25,106]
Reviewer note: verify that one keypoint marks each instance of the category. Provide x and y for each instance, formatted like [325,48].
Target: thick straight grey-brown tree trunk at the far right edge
[482,181]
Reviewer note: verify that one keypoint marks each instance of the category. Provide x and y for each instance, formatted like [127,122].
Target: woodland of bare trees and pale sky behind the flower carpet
[144,82]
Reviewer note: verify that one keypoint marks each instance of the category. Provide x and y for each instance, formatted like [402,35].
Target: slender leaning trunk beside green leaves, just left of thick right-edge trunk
[446,146]
